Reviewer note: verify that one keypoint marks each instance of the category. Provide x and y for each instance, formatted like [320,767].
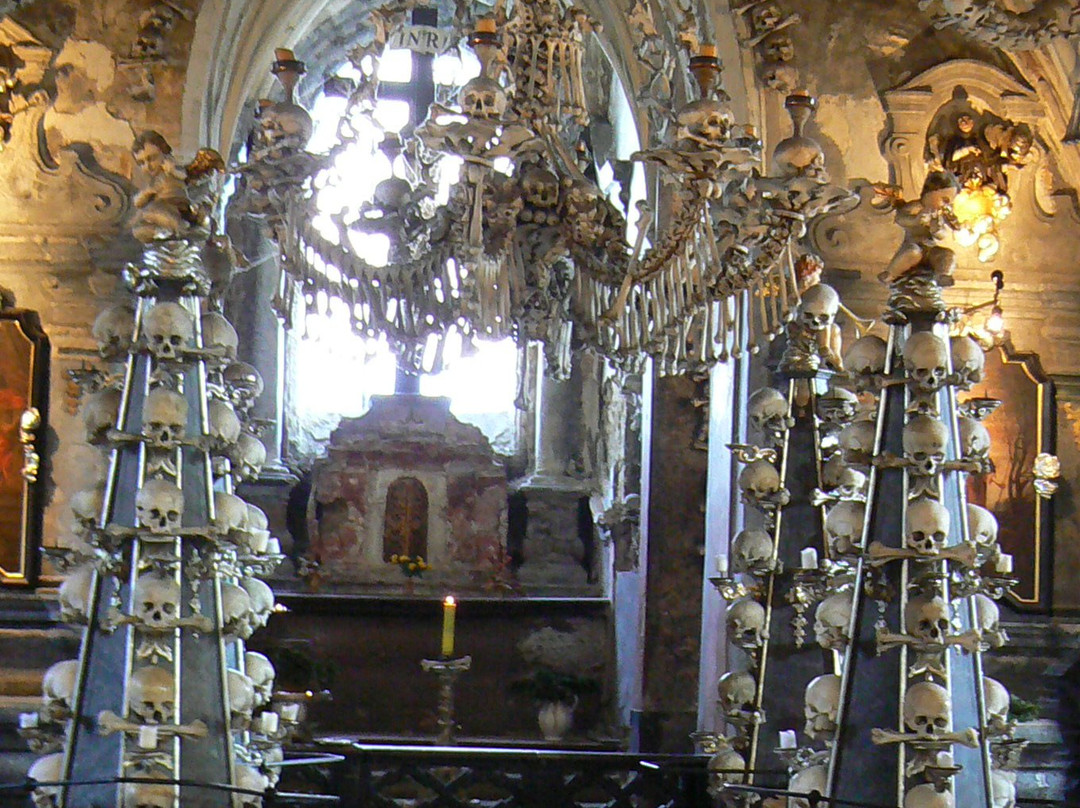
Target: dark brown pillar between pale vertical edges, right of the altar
[674,503]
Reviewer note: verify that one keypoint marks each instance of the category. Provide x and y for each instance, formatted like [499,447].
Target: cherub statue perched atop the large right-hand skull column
[926,222]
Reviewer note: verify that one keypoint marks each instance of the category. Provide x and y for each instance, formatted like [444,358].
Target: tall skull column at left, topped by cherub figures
[158,709]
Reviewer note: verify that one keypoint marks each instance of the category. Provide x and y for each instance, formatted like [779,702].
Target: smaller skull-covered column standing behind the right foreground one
[785,561]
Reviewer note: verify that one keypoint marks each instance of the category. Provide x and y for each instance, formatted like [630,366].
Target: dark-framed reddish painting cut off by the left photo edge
[24,398]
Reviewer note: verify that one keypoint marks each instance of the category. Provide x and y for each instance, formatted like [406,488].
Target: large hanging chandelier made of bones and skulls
[526,245]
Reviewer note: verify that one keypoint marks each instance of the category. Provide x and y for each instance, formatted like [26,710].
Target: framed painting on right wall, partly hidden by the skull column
[1021,428]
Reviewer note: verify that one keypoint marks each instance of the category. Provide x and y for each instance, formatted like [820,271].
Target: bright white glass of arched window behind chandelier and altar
[332,371]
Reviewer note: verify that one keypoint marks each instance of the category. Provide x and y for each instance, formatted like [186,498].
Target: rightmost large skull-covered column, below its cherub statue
[915,709]
